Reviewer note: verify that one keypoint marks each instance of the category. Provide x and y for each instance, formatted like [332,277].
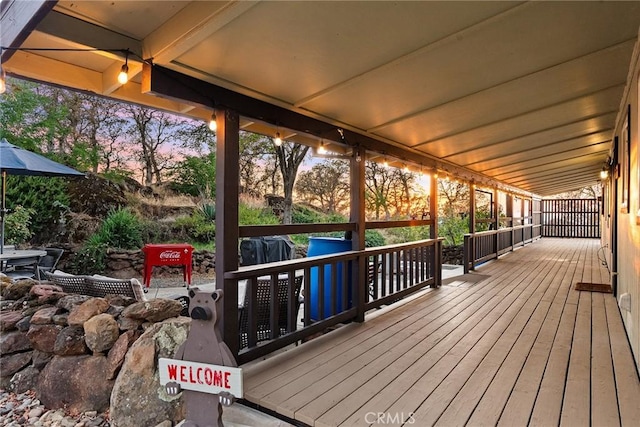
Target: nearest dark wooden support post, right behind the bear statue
[227,233]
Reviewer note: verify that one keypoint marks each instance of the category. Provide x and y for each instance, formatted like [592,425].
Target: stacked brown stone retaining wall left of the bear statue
[90,354]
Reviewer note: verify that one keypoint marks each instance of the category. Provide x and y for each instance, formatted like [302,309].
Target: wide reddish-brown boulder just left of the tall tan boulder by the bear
[76,383]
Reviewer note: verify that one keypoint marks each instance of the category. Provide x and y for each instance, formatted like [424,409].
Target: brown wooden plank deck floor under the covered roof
[511,344]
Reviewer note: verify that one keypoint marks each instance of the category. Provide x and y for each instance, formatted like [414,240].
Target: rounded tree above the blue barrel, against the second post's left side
[326,185]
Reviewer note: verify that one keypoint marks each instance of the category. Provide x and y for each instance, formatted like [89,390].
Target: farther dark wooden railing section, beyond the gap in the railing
[484,246]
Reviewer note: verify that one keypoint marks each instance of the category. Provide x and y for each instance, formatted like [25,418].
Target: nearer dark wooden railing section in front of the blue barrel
[336,289]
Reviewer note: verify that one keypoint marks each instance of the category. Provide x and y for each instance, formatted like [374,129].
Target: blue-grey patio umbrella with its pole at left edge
[15,160]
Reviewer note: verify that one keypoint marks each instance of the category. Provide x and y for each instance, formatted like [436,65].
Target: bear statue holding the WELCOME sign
[204,345]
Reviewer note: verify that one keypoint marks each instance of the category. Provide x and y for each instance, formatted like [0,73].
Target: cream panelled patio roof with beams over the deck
[520,94]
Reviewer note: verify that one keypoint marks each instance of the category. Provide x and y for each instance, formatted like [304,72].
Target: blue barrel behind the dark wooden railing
[327,246]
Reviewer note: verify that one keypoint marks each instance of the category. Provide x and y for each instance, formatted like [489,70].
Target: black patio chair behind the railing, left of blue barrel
[263,310]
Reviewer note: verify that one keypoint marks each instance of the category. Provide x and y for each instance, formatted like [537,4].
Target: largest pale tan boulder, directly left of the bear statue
[137,398]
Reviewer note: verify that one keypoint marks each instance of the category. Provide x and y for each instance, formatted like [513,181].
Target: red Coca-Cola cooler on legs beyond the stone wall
[167,254]
